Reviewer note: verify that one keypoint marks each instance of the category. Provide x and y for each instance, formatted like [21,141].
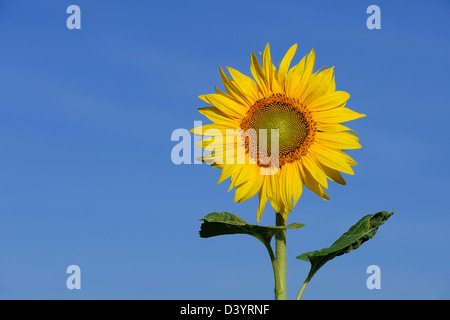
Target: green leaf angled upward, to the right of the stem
[359,233]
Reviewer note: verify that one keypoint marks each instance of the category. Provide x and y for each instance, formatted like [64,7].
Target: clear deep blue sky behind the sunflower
[86,118]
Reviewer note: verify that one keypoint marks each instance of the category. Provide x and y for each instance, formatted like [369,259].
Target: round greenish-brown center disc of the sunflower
[296,129]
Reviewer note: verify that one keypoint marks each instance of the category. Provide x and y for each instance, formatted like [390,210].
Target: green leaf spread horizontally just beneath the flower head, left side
[221,223]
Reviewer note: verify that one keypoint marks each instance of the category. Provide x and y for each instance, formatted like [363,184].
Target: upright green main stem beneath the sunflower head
[280,251]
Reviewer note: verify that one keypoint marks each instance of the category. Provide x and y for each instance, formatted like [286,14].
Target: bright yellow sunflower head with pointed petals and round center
[302,107]
